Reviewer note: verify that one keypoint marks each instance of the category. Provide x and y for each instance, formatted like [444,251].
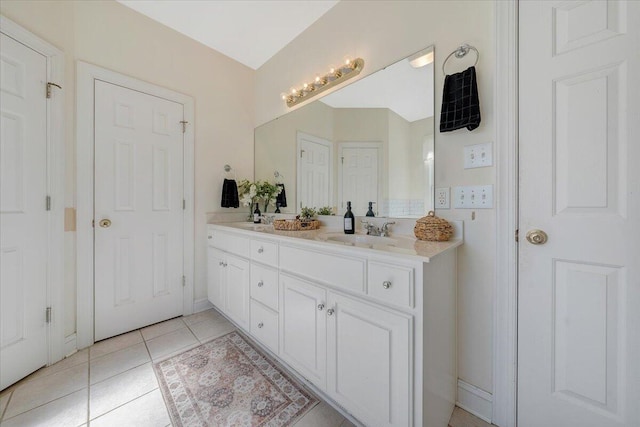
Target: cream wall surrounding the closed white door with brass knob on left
[113,36]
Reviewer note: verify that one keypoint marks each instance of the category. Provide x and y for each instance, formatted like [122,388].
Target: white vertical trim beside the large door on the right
[506,291]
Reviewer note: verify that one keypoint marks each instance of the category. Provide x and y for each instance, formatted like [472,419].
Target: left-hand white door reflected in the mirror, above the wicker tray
[314,172]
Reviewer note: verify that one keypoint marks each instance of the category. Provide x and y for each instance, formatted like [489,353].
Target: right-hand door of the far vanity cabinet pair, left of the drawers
[236,290]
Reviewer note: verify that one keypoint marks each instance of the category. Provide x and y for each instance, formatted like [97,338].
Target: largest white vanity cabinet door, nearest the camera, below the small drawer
[369,361]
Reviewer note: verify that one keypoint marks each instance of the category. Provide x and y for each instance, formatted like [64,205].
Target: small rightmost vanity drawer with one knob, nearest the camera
[390,283]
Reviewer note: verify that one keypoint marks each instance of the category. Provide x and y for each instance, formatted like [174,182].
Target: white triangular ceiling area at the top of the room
[248,31]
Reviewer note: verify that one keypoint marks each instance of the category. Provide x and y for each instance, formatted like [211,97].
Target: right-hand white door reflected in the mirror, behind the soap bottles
[359,178]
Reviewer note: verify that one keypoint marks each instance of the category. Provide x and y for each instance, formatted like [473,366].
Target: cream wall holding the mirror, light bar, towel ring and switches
[383,32]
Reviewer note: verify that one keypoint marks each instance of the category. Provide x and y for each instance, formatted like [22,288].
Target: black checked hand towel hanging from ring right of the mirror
[460,102]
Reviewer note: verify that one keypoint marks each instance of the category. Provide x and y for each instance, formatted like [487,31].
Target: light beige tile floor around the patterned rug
[112,383]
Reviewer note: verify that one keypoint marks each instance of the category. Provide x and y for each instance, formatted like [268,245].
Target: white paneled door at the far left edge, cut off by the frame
[23,211]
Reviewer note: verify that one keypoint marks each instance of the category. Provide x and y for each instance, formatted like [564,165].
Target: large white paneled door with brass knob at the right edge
[579,292]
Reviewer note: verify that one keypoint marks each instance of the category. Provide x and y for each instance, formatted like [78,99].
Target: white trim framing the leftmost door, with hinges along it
[55,182]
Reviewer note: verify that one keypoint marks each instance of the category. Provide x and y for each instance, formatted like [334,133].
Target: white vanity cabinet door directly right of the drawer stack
[303,339]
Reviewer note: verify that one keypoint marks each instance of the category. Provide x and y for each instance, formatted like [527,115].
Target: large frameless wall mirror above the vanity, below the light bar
[370,141]
